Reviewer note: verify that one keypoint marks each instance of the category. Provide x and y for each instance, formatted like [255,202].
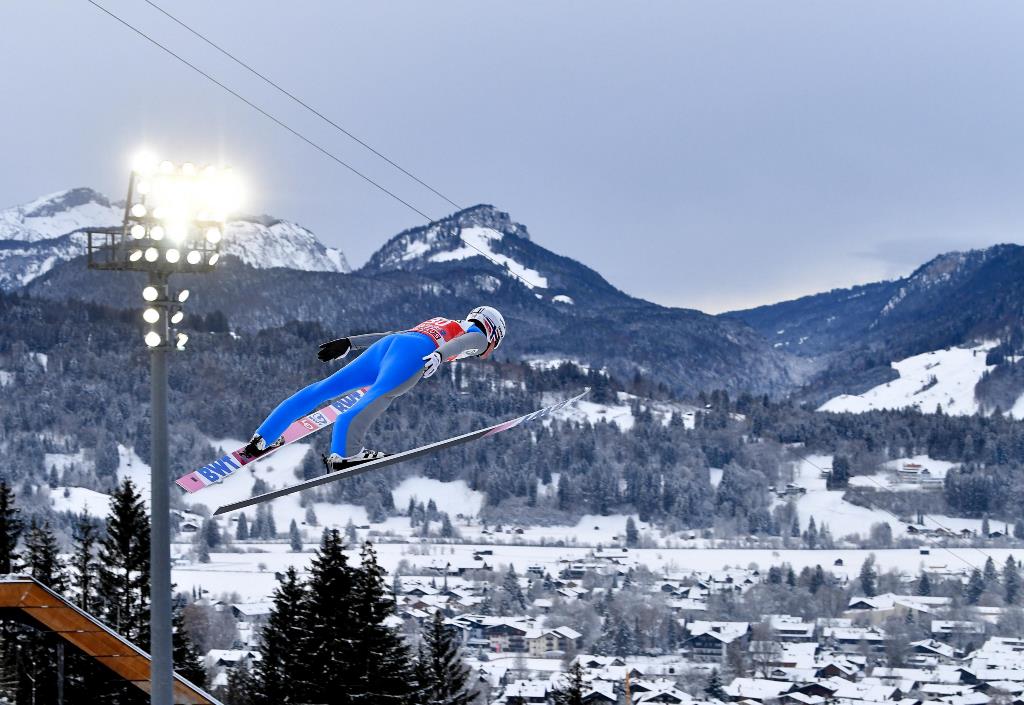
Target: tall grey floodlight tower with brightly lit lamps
[175,221]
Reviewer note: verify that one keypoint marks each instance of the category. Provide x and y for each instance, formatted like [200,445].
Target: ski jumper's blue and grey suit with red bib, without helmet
[392,366]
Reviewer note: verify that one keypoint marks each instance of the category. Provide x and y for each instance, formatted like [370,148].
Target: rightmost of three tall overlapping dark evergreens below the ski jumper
[383,668]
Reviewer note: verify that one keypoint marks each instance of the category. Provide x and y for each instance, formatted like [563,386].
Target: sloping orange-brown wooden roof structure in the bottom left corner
[56,614]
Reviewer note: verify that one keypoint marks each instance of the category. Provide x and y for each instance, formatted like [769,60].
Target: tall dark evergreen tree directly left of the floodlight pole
[124,566]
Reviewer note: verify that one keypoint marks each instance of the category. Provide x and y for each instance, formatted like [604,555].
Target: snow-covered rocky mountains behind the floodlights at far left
[37,236]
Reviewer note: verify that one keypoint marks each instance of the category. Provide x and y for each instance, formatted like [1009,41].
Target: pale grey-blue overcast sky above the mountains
[713,155]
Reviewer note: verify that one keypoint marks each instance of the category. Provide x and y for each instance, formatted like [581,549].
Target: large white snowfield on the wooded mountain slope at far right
[942,378]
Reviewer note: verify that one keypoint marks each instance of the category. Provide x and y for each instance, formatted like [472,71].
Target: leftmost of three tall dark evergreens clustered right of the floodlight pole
[283,674]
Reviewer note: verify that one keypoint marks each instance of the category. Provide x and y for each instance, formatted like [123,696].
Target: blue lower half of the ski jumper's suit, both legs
[390,368]
